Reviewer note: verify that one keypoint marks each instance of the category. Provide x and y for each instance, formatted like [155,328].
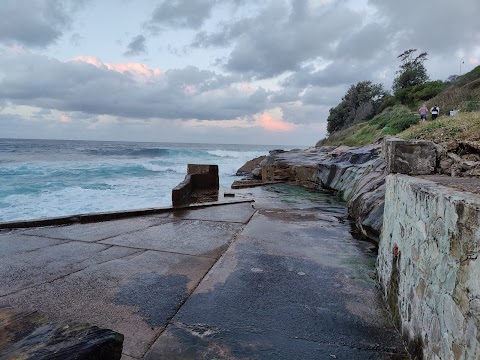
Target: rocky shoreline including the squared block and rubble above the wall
[357,174]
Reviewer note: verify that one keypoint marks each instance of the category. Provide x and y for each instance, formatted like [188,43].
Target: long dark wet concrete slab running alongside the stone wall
[293,285]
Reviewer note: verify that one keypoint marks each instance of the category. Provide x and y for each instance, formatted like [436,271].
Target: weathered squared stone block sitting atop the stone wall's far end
[410,157]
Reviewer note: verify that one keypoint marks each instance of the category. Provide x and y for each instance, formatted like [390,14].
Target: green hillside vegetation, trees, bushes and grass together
[367,111]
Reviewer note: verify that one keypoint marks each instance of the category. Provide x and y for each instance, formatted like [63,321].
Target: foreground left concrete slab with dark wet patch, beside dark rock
[134,295]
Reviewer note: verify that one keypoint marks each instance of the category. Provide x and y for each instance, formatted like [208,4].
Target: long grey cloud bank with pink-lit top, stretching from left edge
[128,90]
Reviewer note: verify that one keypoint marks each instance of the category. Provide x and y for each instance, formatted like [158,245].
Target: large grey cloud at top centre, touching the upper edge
[282,36]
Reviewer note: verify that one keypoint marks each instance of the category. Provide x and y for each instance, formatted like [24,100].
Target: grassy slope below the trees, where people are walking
[464,94]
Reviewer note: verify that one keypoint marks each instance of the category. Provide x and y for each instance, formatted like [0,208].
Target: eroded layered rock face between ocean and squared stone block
[357,173]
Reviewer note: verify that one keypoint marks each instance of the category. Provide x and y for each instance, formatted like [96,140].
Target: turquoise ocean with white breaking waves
[49,178]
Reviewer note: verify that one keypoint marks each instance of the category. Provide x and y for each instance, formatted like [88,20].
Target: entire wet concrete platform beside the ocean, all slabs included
[281,278]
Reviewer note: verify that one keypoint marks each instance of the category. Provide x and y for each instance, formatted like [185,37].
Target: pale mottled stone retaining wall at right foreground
[429,268]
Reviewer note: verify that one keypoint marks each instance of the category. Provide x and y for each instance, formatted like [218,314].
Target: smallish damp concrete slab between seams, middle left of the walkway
[191,237]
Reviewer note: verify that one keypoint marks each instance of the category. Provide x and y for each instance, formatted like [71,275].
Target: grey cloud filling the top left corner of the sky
[35,23]
